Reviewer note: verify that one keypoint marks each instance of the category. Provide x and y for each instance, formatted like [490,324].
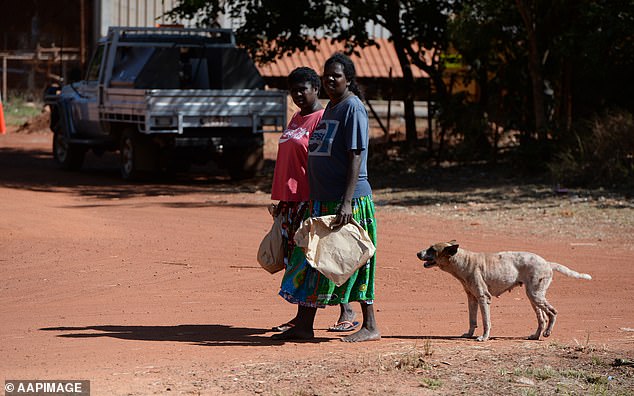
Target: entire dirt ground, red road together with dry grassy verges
[153,288]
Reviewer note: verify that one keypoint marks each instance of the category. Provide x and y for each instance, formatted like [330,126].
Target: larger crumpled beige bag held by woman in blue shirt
[336,254]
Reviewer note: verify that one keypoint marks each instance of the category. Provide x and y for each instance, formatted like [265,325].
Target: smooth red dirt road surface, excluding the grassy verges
[153,288]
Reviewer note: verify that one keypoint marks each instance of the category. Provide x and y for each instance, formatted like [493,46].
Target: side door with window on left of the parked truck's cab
[85,106]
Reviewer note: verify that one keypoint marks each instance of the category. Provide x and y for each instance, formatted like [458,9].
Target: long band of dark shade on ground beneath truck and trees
[396,182]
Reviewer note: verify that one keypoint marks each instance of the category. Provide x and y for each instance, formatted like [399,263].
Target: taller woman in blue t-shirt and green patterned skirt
[338,179]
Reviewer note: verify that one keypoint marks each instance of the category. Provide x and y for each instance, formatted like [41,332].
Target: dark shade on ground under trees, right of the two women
[488,187]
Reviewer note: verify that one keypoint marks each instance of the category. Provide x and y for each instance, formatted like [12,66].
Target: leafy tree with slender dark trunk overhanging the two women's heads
[274,28]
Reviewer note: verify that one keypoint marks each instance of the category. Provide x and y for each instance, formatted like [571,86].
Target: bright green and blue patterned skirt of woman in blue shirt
[304,285]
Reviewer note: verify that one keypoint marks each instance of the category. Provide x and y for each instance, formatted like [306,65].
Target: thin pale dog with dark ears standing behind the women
[490,274]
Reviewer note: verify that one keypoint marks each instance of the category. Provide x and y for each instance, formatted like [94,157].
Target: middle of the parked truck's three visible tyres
[137,154]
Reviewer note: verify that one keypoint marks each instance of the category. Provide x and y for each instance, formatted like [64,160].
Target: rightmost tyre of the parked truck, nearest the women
[245,161]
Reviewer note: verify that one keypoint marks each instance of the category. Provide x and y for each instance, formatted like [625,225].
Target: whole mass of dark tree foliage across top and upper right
[541,67]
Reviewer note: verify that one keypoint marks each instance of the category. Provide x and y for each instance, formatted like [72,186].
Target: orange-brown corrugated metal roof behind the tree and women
[372,62]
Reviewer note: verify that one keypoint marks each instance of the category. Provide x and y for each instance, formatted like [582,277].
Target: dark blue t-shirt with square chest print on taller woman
[343,127]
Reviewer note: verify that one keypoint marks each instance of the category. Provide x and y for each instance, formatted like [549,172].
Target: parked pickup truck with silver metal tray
[166,98]
